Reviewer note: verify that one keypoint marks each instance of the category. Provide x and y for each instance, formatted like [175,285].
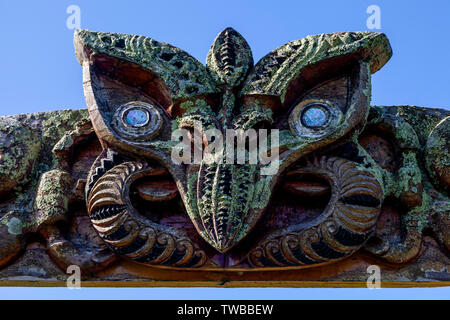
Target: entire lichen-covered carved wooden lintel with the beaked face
[354,184]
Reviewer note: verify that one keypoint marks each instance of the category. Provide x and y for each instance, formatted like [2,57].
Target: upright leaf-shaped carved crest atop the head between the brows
[230,58]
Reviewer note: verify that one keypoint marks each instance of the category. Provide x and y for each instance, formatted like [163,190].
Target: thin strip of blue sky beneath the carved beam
[225,293]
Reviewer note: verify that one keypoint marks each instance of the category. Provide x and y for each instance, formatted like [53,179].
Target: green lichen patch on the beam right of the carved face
[412,129]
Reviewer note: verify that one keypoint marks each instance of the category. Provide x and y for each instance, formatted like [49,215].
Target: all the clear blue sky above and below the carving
[40,72]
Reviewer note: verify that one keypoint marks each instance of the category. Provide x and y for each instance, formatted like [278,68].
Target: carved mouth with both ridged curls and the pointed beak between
[321,211]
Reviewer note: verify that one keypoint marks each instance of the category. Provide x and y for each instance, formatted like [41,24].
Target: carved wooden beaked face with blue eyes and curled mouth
[320,204]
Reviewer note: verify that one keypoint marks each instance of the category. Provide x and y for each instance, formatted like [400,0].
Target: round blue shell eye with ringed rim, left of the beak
[138,121]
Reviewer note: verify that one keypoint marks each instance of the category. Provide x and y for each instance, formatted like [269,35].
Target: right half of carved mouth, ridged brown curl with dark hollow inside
[332,211]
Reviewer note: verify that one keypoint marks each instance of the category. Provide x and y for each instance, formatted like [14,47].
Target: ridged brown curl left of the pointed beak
[130,235]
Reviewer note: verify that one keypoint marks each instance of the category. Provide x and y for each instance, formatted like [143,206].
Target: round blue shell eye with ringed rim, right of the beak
[314,118]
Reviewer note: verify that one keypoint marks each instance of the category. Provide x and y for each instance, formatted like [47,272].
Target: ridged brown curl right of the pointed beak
[343,227]
